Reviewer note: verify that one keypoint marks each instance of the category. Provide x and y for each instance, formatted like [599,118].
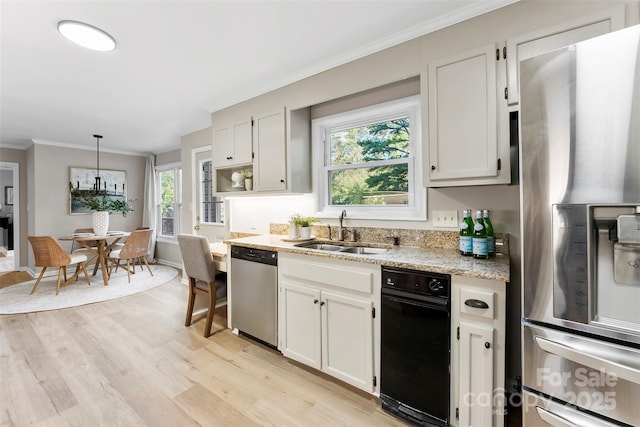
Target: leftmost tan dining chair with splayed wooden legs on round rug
[48,253]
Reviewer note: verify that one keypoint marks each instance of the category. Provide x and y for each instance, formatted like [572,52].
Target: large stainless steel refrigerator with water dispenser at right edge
[580,225]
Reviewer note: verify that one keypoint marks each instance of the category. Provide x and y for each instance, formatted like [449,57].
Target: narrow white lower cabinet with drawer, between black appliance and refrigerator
[478,311]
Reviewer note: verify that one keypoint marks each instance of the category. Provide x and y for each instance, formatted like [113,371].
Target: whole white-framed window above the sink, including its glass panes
[369,162]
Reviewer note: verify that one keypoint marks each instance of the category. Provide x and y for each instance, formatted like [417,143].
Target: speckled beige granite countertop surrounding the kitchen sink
[446,261]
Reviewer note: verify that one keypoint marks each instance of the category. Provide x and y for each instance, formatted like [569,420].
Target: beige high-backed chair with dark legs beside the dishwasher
[200,270]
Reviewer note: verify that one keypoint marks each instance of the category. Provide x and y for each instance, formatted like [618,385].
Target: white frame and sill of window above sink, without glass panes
[415,210]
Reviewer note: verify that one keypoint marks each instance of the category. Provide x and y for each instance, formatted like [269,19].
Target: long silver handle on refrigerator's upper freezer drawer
[623,363]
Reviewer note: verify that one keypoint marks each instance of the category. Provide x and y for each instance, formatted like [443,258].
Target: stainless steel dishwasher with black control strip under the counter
[254,293]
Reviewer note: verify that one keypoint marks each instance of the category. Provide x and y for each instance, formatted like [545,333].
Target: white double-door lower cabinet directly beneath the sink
[326,316]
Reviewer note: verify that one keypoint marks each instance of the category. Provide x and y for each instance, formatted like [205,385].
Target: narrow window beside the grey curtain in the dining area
[170,199]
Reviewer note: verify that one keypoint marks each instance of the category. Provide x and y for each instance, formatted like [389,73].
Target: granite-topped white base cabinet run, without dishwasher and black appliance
[329,294]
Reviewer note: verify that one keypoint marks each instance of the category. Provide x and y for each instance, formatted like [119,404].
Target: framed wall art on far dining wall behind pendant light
[82,188]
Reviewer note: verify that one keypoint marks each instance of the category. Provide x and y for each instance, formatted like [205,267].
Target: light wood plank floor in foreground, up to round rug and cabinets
[131,362]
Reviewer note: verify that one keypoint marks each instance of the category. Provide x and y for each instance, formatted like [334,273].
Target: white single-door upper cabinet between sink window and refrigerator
[468,139]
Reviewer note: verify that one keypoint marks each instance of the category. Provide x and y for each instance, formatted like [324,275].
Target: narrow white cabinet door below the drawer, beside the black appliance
[475,387]
